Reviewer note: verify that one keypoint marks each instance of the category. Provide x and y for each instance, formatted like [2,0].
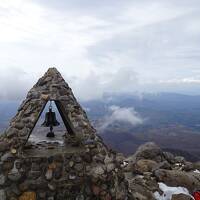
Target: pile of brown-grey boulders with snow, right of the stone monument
[150,167]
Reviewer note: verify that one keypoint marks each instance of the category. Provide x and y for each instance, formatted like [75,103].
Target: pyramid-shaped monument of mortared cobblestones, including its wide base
[86,170]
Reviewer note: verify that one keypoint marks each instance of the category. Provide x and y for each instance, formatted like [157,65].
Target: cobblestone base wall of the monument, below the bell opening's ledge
[92,172]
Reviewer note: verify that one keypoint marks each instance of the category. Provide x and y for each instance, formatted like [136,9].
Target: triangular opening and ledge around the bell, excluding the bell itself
[65,141]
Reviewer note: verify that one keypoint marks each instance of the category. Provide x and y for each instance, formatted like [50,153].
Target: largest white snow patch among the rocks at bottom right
[169,191]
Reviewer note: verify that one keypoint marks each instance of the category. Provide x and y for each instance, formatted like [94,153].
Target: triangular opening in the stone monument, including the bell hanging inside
[52,133]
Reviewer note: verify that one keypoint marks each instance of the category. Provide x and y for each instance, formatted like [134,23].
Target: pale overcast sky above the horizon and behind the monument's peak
[101,46]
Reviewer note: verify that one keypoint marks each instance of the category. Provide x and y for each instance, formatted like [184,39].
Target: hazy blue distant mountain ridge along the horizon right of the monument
[160,109]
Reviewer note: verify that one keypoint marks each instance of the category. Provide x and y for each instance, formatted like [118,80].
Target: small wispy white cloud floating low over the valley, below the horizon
[122,114]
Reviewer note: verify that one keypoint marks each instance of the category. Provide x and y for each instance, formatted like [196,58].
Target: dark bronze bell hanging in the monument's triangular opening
[50,121]
